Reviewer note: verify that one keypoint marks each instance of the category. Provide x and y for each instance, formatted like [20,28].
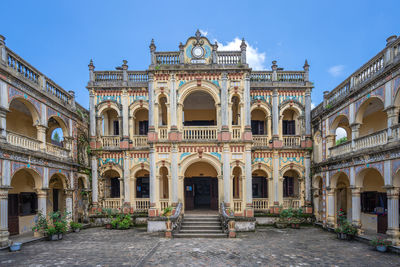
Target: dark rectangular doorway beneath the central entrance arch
[201,193]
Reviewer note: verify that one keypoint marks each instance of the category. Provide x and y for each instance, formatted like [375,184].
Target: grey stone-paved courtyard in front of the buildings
[266,247]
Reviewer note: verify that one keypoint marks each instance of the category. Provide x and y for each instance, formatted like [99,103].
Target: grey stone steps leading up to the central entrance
[201,226]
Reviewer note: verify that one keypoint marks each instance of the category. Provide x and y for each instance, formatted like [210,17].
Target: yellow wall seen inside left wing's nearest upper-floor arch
[21,123]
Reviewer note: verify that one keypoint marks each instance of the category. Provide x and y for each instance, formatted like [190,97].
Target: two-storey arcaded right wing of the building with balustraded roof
[360,173]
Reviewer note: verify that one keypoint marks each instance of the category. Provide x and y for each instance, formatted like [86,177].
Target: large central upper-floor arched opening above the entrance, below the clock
[199,109]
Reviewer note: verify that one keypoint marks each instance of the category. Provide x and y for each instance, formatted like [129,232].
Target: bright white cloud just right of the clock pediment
[255,59]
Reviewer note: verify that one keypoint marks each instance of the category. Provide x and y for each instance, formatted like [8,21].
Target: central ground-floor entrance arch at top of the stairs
[201,187]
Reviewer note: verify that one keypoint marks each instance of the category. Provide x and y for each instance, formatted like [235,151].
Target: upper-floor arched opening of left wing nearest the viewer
[22,118]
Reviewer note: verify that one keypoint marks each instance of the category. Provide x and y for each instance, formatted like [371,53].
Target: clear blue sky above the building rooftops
[60,37]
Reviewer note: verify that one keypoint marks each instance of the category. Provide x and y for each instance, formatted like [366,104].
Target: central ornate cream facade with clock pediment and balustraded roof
[199,127]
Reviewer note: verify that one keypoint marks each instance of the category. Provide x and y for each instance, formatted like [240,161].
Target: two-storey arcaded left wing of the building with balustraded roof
[39,172]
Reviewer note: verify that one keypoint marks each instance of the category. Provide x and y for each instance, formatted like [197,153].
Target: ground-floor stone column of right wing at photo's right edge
[393,215]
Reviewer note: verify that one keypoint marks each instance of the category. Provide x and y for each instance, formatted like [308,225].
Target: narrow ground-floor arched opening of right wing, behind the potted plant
[343,195]
